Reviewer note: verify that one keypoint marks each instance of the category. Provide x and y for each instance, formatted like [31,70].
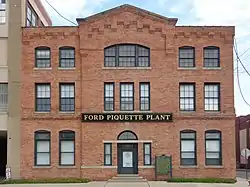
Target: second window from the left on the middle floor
[67,97]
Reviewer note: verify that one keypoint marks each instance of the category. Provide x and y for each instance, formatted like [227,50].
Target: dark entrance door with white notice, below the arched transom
[127,158]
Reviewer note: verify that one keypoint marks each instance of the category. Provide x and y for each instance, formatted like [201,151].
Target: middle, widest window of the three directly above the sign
[127,97]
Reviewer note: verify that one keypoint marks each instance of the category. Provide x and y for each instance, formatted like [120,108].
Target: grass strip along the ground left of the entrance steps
[39,181]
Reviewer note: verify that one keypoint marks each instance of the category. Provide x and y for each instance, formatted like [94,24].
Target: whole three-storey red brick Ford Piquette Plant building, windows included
[126,85]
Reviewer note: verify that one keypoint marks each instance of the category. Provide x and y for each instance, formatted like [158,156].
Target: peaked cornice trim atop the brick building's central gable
[128,6]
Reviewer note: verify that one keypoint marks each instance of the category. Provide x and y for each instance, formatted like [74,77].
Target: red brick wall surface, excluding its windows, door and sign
[127,24]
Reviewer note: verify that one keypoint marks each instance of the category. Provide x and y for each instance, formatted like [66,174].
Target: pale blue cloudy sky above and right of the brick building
[188,12]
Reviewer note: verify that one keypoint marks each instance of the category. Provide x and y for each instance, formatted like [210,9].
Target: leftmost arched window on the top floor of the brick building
[42,57]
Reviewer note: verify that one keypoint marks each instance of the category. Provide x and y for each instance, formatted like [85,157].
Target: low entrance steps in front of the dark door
[127,178]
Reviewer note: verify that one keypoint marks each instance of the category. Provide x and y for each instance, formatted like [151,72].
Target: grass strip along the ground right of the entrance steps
[201,180]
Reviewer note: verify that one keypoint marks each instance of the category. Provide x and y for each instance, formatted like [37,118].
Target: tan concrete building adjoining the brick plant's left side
[13,15]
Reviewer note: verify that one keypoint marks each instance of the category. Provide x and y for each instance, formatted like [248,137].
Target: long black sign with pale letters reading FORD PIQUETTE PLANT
[127,117]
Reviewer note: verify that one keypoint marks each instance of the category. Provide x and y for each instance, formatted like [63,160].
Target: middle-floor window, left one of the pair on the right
[187,96]
